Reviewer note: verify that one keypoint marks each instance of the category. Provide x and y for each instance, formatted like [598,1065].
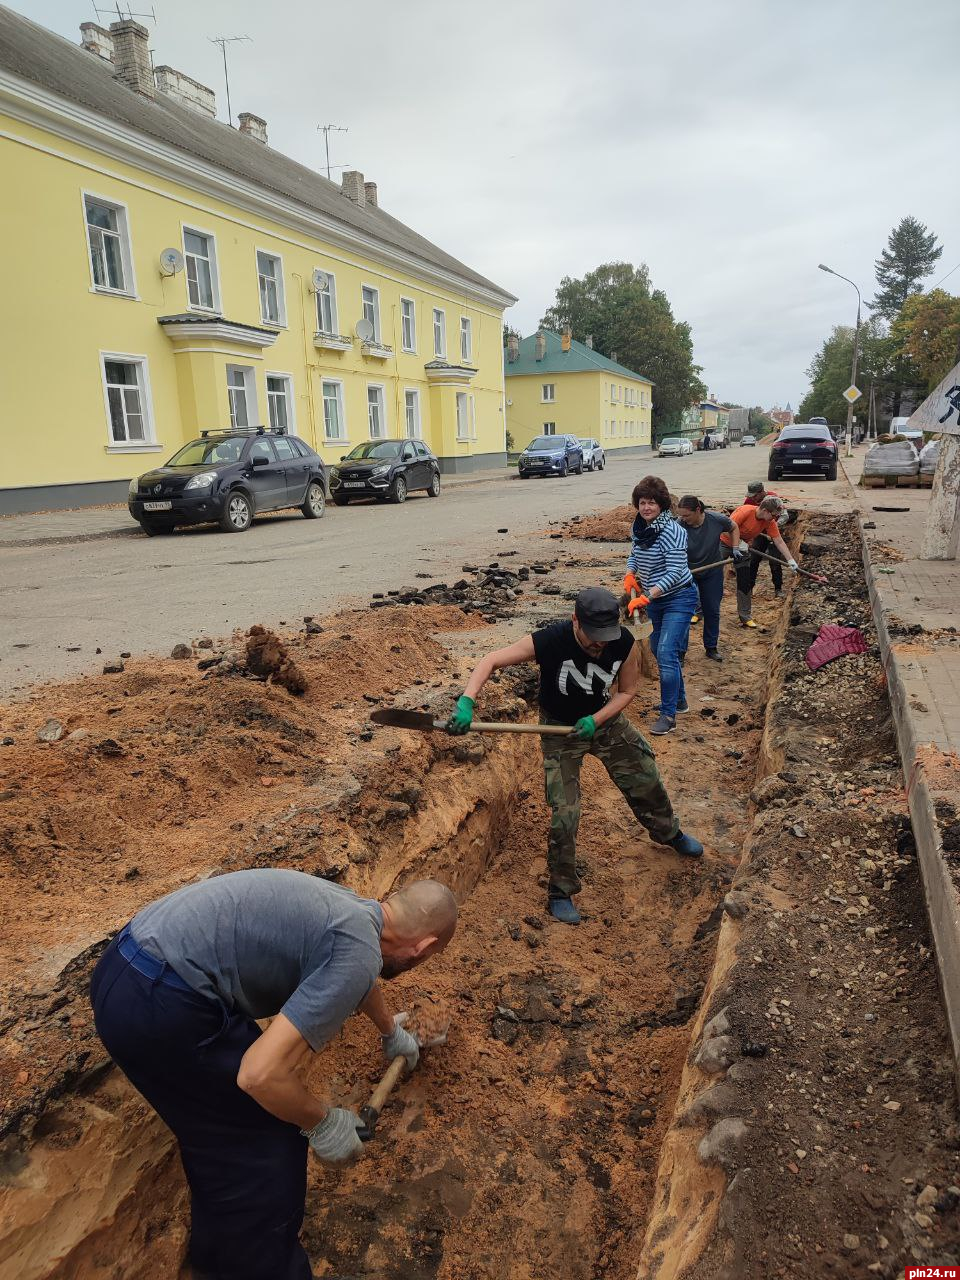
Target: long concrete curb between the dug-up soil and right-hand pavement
[939,890]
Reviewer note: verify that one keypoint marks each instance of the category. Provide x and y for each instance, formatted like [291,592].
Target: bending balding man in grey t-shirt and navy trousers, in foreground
[176,996]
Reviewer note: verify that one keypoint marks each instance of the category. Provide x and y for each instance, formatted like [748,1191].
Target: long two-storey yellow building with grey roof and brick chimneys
[168,273]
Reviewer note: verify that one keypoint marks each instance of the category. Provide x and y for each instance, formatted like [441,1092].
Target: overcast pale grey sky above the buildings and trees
[732,147]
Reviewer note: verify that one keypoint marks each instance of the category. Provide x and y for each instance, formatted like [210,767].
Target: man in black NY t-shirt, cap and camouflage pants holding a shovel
[589,674]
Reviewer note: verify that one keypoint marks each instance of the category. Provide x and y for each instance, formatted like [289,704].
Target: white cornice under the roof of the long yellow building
[30,103]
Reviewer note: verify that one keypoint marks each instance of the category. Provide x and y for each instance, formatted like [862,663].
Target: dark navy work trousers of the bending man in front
[246,1169]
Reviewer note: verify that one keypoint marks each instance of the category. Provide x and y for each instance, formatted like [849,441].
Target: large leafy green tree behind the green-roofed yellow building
[633,323]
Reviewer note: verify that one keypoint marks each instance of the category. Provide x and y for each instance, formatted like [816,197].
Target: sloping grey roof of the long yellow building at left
[40,56]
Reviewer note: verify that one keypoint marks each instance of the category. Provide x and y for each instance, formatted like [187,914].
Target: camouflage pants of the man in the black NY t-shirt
[630,762]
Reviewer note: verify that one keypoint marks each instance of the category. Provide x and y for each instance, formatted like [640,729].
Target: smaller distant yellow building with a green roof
[560,387]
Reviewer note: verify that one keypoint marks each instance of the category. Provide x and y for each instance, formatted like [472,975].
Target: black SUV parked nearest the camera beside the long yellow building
[230,477]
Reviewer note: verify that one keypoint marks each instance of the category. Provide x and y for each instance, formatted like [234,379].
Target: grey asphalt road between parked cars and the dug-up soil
[144,596]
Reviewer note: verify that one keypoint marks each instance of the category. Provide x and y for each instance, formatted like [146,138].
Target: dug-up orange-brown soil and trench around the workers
[559,1133]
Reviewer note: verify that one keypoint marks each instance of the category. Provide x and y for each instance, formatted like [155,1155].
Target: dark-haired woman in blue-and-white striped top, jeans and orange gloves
[659,572]
